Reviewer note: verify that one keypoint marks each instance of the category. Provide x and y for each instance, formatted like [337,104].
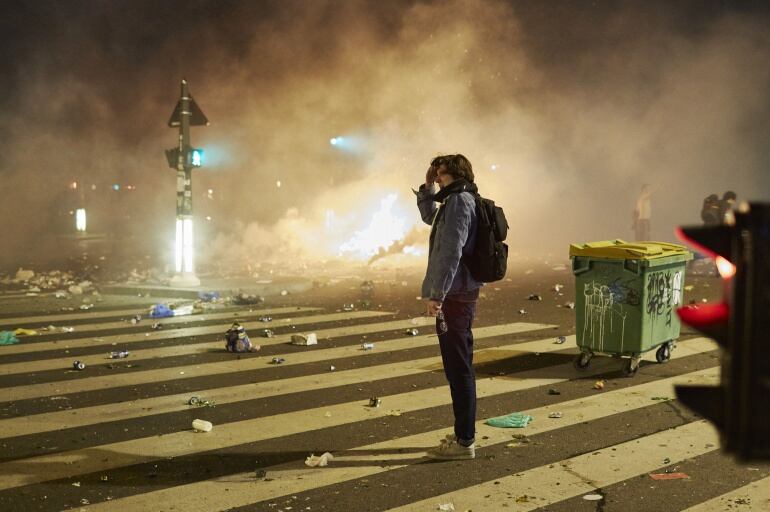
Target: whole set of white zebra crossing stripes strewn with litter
[542,485]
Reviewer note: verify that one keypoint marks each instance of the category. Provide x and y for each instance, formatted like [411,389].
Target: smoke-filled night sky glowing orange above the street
[575,104]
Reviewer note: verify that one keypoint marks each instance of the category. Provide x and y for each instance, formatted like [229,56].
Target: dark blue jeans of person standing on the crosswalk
[455,337]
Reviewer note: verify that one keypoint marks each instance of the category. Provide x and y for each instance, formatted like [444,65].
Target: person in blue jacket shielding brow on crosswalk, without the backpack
[451,291]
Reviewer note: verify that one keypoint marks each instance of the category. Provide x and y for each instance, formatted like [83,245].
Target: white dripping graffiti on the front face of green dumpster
[600,314]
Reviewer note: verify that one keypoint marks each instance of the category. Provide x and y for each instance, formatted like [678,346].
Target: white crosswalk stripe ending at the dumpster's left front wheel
[84,416]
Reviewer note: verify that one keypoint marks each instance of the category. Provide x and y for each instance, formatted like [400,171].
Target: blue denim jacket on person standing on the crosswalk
[453,235]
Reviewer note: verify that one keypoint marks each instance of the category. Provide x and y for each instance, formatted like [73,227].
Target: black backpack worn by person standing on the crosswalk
[489,259]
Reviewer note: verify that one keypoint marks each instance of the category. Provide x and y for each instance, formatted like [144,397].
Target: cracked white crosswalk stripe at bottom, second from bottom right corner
[583,474]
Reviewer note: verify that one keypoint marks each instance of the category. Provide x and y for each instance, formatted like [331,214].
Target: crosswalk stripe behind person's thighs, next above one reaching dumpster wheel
[28,391]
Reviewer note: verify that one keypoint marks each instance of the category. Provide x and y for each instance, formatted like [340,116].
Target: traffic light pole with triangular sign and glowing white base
[186,114]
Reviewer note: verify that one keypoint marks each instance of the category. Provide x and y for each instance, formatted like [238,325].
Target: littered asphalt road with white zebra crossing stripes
[117,435]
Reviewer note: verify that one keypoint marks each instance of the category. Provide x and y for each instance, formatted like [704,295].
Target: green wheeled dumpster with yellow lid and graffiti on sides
[626,295]
